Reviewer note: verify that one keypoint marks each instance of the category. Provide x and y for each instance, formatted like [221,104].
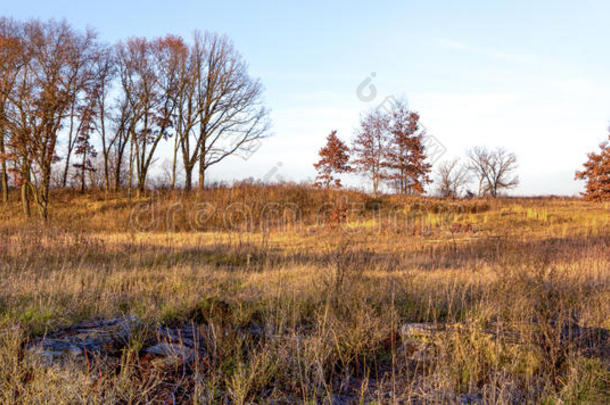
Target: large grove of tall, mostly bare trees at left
[61,86]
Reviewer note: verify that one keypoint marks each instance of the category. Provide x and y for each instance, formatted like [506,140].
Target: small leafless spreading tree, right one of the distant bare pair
[495,169]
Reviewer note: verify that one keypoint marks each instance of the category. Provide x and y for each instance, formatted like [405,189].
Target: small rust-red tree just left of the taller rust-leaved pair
[334,160]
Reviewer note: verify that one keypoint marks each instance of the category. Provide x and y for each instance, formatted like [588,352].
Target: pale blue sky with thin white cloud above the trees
[532,77]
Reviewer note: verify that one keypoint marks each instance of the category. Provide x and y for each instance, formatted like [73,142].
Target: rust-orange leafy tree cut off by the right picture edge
[596,172]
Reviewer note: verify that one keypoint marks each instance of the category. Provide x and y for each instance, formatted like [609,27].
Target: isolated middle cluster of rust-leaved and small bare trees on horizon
[388,148]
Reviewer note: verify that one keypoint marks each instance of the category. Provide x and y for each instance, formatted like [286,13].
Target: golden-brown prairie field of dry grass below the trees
[303,295]
